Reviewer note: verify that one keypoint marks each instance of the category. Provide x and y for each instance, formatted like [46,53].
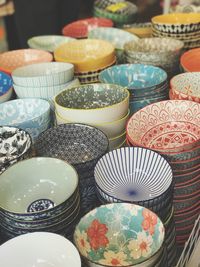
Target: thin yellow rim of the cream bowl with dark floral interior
[94,85]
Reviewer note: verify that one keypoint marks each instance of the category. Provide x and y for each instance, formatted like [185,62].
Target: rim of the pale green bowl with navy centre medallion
[46,210]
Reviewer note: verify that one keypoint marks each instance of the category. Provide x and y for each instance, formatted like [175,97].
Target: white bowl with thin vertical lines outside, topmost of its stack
[43,74]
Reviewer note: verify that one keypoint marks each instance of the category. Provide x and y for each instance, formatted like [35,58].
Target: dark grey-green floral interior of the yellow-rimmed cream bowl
[91,96]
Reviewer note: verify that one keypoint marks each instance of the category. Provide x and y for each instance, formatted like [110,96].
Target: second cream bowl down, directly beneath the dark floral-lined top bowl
[111,129]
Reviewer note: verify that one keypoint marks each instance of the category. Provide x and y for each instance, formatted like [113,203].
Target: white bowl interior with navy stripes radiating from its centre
[134,175]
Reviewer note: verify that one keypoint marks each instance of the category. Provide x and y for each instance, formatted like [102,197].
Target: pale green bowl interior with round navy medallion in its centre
[34,185]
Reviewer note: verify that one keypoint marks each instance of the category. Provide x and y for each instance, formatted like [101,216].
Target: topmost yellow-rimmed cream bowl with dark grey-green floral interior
[95,103]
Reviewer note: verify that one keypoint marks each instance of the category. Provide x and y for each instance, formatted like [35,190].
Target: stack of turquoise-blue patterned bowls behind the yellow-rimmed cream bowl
[146,84]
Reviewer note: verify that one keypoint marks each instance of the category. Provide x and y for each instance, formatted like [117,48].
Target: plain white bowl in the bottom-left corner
[43,245]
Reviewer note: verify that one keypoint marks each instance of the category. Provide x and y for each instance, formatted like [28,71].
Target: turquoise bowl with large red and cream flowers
[119,235]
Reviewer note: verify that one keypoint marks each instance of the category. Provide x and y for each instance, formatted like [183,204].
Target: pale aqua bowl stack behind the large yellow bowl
[115,36]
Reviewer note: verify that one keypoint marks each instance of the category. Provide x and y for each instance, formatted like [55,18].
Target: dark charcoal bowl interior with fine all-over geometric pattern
[75,143]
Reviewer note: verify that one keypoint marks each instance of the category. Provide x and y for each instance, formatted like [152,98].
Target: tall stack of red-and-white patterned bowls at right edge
[172,128]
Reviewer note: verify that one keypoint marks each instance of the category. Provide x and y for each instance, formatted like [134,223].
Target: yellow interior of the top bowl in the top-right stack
[177,18]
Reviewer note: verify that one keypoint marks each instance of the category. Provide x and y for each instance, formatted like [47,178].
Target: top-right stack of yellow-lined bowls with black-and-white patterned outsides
[180,26]
